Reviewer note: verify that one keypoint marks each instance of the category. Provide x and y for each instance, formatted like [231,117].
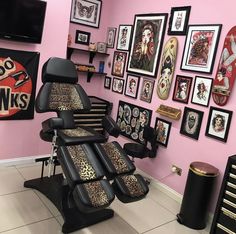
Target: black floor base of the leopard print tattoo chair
[54,189]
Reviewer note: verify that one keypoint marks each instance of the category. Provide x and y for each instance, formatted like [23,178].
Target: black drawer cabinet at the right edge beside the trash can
[225,214]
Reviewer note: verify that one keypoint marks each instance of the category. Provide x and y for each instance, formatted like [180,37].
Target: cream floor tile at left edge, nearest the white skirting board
[11,181]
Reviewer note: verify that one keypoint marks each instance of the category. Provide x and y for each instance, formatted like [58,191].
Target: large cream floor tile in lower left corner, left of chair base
[20,209]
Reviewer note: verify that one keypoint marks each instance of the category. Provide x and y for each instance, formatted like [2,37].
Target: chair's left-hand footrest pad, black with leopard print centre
[93,196]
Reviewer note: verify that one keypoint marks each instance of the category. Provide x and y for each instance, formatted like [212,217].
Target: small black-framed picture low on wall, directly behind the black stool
[163,131]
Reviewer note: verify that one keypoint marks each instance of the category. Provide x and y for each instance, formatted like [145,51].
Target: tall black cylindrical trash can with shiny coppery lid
[197,195]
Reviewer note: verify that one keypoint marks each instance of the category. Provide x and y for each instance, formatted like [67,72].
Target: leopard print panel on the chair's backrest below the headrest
[64,97]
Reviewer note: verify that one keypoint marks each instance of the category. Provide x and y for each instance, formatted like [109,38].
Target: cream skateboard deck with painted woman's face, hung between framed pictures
[167,68]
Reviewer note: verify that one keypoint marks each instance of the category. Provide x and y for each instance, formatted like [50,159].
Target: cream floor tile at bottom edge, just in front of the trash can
[172,228]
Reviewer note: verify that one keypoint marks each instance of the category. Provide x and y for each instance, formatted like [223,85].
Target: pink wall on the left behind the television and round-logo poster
[21,138]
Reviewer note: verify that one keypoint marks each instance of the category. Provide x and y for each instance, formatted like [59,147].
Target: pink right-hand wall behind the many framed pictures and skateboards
[181,150]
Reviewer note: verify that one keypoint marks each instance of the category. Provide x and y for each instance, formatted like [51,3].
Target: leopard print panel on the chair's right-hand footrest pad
[132,184]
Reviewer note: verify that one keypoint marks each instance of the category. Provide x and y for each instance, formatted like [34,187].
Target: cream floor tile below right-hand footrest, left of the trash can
[143,215]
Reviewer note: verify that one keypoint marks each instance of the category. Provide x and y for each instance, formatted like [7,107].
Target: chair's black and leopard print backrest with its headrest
[60,92]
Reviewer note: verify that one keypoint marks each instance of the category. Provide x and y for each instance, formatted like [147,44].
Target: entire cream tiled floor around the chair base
[26,211]
